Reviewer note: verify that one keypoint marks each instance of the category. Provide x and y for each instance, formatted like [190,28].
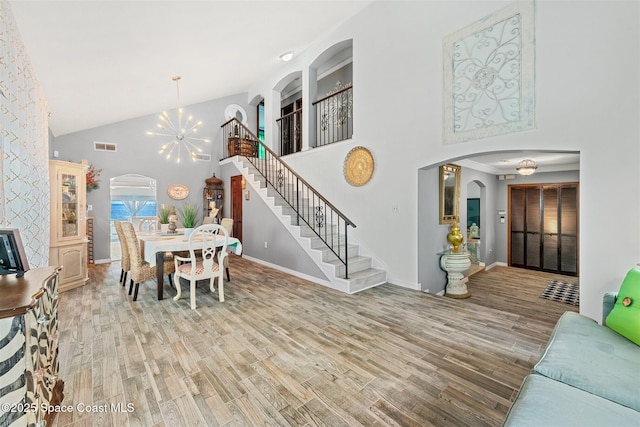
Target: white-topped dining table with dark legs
[154,246]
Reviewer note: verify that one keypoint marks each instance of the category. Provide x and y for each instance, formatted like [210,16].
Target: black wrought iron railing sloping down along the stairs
[327,222]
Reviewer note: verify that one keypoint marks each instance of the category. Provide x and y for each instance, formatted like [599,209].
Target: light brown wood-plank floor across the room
[282,351]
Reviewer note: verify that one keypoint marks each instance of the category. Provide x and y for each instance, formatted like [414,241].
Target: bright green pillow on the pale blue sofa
[625,316]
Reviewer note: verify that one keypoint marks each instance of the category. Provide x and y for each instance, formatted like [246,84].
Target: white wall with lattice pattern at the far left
[24,150]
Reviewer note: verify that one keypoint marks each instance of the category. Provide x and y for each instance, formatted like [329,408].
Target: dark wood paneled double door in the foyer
[543,227]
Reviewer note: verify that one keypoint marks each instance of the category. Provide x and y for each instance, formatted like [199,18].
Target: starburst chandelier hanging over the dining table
[181,133]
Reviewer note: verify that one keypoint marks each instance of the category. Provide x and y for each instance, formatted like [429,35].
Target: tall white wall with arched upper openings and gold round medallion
[586,100]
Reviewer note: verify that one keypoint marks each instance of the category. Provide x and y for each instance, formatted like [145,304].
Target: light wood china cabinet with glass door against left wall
[68,246]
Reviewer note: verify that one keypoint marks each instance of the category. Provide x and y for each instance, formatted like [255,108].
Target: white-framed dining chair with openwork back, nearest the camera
[201,263]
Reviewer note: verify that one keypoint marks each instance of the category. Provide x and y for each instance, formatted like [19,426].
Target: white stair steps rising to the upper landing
[356,274]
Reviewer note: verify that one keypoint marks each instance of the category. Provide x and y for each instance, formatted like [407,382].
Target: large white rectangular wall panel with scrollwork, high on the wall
[489,75]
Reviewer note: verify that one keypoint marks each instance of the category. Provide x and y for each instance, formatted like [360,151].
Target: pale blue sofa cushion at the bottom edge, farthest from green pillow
[545,402]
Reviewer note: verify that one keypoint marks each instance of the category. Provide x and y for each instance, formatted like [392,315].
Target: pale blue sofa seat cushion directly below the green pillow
[593,358]
